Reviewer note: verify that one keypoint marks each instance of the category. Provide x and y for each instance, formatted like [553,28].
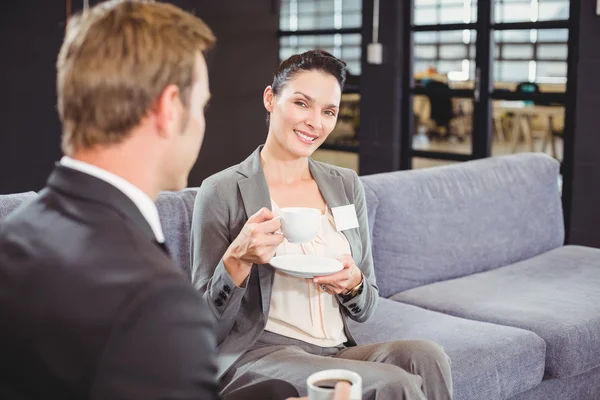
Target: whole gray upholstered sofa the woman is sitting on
[471,256]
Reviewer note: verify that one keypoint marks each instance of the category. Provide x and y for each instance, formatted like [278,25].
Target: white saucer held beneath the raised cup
[306,266]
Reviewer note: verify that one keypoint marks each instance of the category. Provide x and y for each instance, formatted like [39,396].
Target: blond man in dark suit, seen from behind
[91,306]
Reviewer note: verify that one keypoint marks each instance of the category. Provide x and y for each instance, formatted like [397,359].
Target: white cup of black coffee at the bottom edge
[321,384]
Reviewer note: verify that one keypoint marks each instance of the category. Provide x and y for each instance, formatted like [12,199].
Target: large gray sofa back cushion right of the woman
[442,223]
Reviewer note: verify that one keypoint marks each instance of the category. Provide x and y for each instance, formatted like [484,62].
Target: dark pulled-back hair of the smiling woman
[312,60]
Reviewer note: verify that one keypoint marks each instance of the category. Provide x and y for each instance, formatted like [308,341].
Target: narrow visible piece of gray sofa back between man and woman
[175,210]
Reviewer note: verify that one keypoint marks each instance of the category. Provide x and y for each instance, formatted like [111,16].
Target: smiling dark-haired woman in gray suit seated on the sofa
[288,326]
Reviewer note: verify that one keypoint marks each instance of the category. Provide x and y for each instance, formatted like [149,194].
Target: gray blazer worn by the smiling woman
[223,205]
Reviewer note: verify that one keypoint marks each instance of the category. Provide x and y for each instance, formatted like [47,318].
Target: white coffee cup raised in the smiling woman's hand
[299,224]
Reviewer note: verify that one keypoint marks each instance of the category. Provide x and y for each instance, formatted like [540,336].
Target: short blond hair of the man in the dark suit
[116,59]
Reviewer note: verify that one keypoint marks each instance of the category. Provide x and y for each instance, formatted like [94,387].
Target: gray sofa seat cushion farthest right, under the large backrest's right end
[555,295]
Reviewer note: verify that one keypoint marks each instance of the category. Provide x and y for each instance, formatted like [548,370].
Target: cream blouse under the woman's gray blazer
[300,309]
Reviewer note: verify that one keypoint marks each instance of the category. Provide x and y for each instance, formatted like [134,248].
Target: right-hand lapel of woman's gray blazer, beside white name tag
[333,191]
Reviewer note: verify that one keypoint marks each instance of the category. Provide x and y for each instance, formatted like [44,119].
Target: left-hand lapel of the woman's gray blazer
[255,195]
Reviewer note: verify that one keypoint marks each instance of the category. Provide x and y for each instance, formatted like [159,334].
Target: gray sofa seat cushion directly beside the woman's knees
[488,361]
